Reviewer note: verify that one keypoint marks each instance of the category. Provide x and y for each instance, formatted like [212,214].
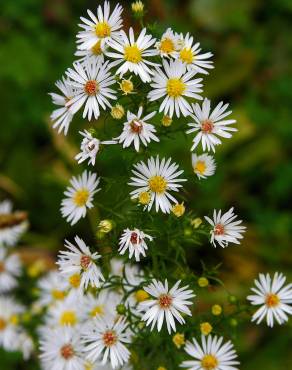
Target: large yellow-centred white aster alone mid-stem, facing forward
[157,178]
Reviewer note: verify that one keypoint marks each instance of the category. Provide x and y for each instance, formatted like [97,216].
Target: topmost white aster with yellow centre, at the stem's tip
[99,29]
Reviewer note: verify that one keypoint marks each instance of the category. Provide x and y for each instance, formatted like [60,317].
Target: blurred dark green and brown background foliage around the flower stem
[252,44]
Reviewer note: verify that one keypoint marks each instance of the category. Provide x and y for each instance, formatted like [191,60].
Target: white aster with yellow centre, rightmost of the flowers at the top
[190,55]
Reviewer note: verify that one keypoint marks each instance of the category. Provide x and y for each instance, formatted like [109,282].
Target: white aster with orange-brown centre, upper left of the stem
[91,81]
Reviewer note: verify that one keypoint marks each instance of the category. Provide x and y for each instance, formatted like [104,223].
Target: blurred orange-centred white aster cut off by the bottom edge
[61,349]
